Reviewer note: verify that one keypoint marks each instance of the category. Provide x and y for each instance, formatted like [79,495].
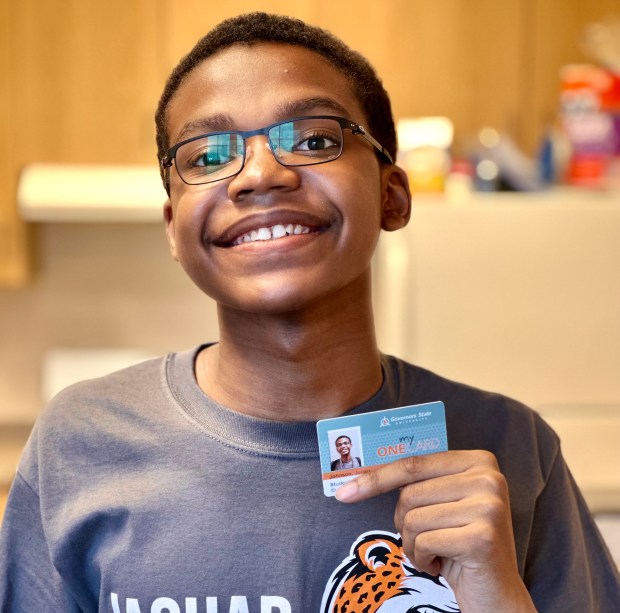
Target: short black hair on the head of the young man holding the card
[264,27]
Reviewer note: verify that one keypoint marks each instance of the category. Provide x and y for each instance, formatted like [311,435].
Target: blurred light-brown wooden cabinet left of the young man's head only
[79,81]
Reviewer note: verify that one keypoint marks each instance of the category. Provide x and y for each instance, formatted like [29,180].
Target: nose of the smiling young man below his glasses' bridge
[261,173]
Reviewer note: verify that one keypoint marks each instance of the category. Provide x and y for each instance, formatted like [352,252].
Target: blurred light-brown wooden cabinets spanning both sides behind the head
[80,79]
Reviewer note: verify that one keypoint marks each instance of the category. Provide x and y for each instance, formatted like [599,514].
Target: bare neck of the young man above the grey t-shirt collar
[301,366]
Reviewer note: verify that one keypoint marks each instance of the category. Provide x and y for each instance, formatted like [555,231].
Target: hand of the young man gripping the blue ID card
[453,514]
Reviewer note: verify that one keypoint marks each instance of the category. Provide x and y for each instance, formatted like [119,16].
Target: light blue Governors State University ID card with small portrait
[353,444]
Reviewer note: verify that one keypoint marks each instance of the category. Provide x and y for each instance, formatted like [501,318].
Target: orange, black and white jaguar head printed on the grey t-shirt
[377,577]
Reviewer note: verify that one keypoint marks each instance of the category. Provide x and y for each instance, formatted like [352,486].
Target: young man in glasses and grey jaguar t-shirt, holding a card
[192,483]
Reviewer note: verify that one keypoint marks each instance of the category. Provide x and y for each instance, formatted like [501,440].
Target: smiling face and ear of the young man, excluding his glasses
[273,239]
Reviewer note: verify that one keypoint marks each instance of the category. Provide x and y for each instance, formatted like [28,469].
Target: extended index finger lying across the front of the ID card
[412,469]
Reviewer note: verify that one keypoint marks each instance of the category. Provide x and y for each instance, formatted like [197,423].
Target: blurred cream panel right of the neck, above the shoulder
[515,294]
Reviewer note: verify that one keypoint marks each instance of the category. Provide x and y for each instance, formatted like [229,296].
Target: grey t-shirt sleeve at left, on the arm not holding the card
[28,579]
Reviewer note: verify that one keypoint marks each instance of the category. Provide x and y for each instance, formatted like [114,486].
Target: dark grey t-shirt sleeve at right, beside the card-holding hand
[568,566]
